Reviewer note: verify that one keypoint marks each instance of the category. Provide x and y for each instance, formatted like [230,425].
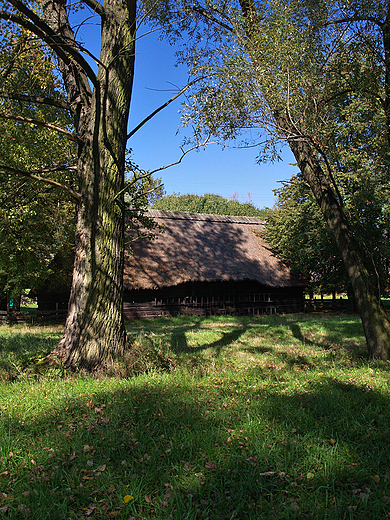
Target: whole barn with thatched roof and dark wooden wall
[208,264]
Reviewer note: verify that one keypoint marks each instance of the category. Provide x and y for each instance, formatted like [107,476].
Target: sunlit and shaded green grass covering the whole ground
[218,418]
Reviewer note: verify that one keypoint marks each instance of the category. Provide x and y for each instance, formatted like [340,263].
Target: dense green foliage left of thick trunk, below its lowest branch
[35,227]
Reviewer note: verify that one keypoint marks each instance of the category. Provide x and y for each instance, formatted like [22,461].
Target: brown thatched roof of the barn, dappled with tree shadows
[207,248]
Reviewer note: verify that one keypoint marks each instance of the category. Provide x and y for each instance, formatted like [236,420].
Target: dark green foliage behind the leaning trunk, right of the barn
[298,232]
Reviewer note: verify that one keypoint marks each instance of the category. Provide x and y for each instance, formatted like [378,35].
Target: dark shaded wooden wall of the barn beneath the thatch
[213,298]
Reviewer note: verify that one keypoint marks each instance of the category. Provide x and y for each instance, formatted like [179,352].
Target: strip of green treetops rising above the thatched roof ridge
[208,203]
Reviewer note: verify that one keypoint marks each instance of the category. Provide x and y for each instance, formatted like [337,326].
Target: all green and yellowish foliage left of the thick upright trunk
[36,221]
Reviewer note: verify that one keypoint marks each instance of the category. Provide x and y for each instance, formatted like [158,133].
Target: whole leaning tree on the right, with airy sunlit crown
[291,69]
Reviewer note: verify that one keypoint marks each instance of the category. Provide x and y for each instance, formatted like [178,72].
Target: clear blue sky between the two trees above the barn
[215,170]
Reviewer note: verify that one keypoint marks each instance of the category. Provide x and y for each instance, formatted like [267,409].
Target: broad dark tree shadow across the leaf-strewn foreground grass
[147,449]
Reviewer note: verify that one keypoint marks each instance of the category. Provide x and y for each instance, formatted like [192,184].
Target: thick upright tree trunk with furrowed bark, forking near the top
[94,331]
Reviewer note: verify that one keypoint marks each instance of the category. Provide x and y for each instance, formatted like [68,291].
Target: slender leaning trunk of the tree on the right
[375,322]
